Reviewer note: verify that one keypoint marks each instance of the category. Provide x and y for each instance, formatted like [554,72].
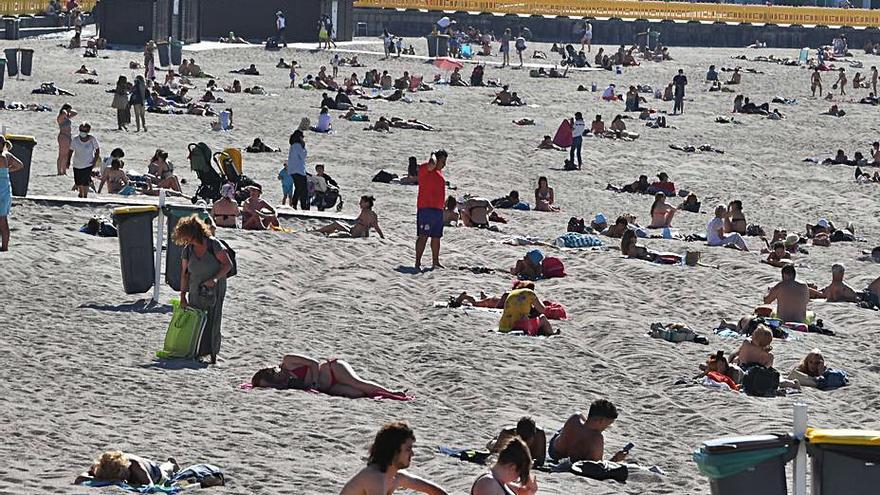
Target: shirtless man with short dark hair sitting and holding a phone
[581,437]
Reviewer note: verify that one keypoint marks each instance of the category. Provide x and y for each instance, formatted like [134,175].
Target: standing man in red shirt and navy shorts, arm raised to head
[430,204]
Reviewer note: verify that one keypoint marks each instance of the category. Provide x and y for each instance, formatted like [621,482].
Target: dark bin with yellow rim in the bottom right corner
[844,461]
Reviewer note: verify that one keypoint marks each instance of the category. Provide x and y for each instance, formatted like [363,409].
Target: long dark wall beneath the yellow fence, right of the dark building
[412,23]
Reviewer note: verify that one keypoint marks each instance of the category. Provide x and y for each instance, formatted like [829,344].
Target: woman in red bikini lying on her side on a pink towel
[332,377]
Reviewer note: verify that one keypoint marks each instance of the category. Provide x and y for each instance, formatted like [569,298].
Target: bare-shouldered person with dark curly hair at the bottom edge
[390,454]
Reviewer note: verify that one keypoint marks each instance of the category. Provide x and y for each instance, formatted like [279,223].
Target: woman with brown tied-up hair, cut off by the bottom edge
[511,473]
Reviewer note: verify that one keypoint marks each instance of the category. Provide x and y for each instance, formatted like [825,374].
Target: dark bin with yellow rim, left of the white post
[135,225]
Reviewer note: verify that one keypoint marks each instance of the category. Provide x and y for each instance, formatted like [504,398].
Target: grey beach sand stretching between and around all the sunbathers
[79,375]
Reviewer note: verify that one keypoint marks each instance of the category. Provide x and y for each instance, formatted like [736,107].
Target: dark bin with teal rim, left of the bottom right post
[751,465]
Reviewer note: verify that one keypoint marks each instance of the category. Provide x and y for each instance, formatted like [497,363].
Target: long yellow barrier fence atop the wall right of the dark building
[634,9]
